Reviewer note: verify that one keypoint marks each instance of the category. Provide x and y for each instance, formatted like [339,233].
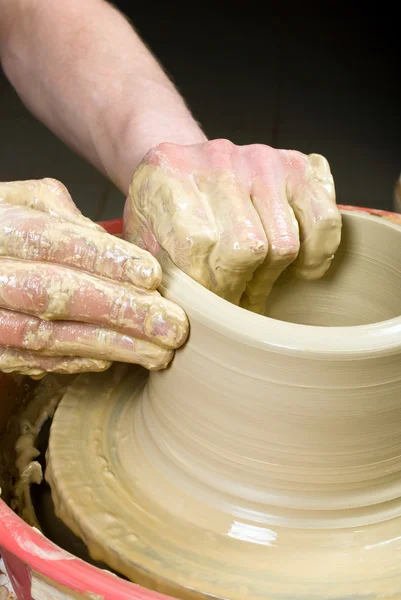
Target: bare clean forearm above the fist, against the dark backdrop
[84,72]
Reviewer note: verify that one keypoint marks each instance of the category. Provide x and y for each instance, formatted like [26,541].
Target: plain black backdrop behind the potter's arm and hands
[315,77]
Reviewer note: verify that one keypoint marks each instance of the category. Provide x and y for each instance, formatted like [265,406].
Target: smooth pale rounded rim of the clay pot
[259,331]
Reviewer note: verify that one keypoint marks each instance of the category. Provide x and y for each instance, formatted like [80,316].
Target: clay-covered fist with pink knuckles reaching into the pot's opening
[234,217]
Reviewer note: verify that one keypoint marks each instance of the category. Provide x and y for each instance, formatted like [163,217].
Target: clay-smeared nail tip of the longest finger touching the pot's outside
[167,325]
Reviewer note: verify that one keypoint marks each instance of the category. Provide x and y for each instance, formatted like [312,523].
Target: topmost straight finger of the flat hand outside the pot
[32,235]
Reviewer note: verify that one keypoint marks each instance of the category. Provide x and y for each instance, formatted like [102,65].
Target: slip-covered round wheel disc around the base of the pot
[110,487]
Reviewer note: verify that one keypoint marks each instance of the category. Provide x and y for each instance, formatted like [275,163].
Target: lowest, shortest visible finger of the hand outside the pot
[36,366]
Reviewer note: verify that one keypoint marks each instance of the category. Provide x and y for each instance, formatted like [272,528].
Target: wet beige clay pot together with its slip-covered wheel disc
[266,461]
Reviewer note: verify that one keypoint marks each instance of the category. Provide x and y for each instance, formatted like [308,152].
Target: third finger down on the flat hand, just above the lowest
[65,338]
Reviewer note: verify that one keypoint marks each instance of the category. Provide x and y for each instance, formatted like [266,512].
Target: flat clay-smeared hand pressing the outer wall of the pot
[72,297]
